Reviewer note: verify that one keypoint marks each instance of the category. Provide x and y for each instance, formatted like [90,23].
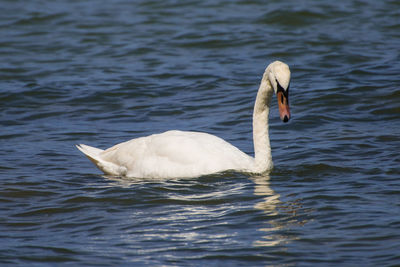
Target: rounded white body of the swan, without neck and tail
[174,154]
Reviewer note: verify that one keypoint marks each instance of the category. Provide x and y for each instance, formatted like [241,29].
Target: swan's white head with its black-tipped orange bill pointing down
[279,77]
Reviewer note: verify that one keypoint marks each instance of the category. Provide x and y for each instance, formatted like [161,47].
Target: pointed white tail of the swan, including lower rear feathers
[94,154]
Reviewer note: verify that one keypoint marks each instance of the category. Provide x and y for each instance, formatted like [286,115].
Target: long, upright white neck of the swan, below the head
[262,148]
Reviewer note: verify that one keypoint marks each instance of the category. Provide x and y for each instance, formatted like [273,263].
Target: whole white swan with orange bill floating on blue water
[175,153]
